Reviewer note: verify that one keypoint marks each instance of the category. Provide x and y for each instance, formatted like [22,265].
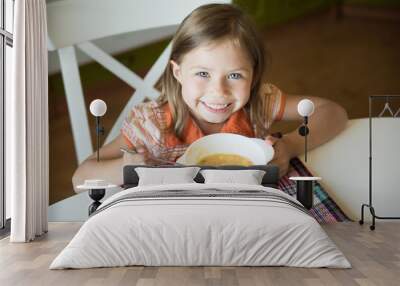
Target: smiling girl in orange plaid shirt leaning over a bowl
[214,82]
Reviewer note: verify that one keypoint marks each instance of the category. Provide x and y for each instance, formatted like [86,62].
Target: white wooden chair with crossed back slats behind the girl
[78,23]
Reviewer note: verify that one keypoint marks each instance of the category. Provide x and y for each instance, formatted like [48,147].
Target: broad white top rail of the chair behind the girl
[75,21]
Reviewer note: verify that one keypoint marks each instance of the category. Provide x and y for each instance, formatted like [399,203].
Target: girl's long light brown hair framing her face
[213,23]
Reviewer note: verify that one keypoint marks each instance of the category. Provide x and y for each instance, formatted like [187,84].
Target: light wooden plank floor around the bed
[375,257]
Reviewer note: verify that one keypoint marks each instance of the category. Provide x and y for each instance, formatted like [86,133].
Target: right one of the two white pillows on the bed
[248,177]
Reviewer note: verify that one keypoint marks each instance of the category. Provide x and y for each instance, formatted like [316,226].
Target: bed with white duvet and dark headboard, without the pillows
[201,224]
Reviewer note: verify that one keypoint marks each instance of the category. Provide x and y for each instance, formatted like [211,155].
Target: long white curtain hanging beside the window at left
[27,143]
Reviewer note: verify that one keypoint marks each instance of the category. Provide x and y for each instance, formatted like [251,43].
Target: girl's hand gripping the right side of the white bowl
[281,156]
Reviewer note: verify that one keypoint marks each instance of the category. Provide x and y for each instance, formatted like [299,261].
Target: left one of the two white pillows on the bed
[163,176]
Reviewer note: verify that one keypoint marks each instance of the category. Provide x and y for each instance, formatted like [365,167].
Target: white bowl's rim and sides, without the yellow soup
[256,150]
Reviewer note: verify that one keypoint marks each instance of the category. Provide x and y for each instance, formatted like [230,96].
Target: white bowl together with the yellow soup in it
[227,149]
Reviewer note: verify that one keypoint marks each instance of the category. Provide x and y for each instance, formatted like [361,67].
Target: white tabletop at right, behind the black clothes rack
[343,165]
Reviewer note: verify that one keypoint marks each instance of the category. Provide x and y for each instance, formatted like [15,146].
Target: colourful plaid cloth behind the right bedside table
[325,210]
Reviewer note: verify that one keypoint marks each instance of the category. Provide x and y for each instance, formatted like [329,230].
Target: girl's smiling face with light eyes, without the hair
[216,80]
